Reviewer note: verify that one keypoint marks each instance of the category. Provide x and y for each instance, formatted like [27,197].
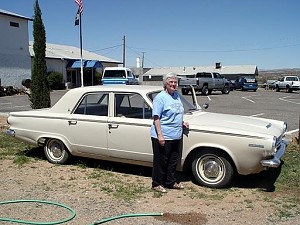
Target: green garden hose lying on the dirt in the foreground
[71,217]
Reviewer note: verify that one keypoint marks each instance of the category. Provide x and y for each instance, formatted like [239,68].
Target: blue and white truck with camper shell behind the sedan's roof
[118,75]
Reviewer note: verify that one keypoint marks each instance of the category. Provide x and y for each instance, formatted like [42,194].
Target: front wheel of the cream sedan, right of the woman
[212,170]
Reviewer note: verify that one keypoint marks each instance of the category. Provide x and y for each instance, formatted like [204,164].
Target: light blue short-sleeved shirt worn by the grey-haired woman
[170,111]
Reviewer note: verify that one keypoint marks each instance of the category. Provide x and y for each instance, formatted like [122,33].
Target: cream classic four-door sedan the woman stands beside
[113,123]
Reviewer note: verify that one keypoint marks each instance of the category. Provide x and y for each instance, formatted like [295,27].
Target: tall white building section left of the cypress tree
[15,59]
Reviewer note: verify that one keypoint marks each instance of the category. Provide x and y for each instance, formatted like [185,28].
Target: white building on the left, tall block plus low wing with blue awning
[16,55]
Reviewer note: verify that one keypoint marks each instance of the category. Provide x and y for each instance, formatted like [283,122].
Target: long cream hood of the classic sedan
[234,124]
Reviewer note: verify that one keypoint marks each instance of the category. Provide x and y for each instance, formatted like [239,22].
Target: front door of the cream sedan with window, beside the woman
[129,128]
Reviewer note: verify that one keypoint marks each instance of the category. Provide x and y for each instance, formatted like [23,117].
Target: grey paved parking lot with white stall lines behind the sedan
[263,103]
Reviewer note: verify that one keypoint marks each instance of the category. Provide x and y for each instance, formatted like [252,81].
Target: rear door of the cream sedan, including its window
[87,124]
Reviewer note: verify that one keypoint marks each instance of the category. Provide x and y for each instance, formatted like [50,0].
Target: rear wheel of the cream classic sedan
[56,151]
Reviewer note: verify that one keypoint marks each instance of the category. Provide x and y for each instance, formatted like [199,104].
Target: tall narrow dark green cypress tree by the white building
[39,91]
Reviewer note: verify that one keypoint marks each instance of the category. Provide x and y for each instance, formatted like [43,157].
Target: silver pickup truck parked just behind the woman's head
[204,82]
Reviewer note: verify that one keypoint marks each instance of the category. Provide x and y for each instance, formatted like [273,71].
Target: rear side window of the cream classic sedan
[93,104]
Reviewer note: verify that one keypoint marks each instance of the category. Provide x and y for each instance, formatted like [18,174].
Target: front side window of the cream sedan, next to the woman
[132,105]
